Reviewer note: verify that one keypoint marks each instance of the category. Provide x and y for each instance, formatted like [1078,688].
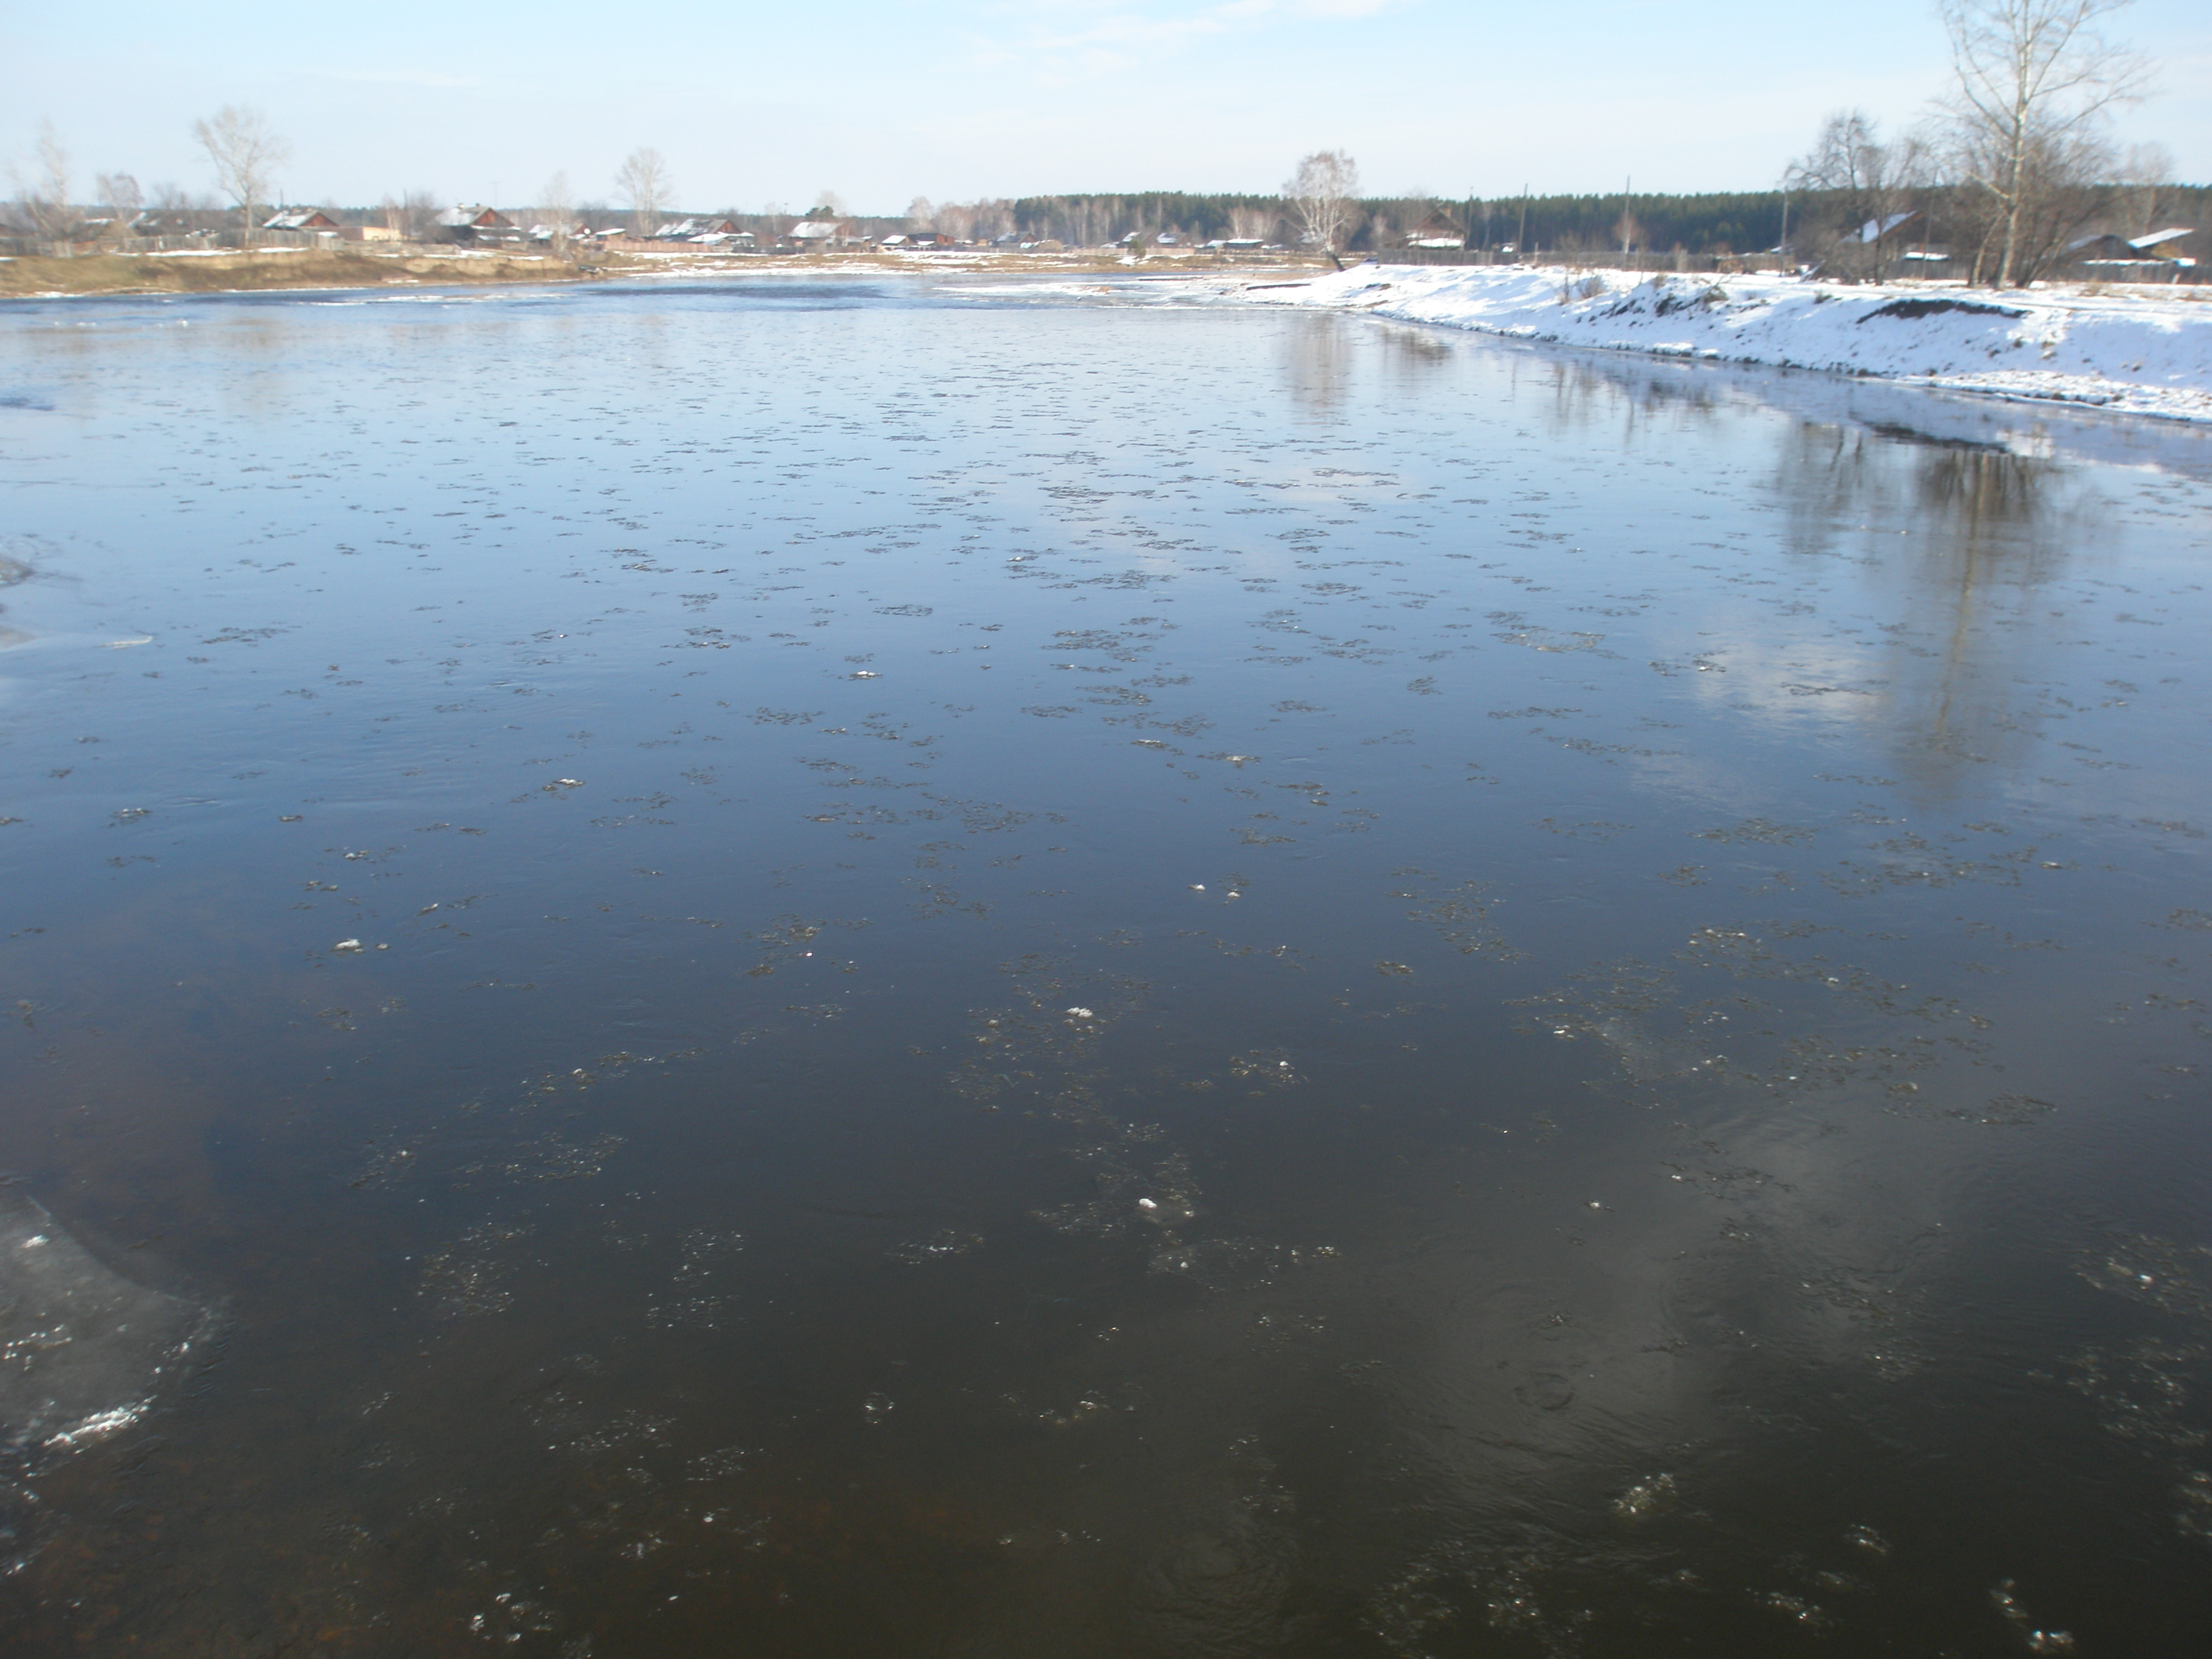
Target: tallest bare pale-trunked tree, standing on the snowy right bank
[2032,83]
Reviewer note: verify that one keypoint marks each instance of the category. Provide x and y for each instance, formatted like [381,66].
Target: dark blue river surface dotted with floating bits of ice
[910,972]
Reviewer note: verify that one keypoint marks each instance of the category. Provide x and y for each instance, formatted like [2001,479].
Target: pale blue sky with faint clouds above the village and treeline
[881,101]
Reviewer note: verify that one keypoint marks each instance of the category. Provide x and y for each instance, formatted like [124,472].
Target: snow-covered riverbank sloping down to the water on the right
[2118,351]
